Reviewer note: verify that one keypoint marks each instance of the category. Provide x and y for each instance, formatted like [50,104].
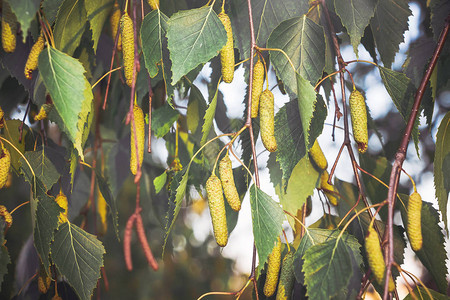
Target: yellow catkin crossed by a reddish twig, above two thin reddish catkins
[140,132]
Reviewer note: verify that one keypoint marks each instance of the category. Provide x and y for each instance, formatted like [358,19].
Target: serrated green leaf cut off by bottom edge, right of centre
[328,266]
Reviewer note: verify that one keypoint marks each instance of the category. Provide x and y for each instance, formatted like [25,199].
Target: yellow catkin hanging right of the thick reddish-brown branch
[414,228]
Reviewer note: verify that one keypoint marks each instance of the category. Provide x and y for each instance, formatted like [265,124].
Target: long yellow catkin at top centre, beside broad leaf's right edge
[227,52]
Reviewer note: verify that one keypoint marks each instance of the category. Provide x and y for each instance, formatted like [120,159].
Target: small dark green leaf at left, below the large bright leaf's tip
[43,168]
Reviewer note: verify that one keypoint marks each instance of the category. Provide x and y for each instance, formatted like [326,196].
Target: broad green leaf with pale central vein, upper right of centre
[304,42]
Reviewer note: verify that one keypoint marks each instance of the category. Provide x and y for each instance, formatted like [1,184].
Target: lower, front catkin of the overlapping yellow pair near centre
[266,121]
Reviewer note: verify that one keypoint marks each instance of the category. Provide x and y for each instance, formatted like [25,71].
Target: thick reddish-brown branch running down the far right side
[401,153]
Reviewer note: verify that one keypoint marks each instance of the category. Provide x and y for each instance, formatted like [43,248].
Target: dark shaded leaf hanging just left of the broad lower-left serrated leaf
[46,222]
